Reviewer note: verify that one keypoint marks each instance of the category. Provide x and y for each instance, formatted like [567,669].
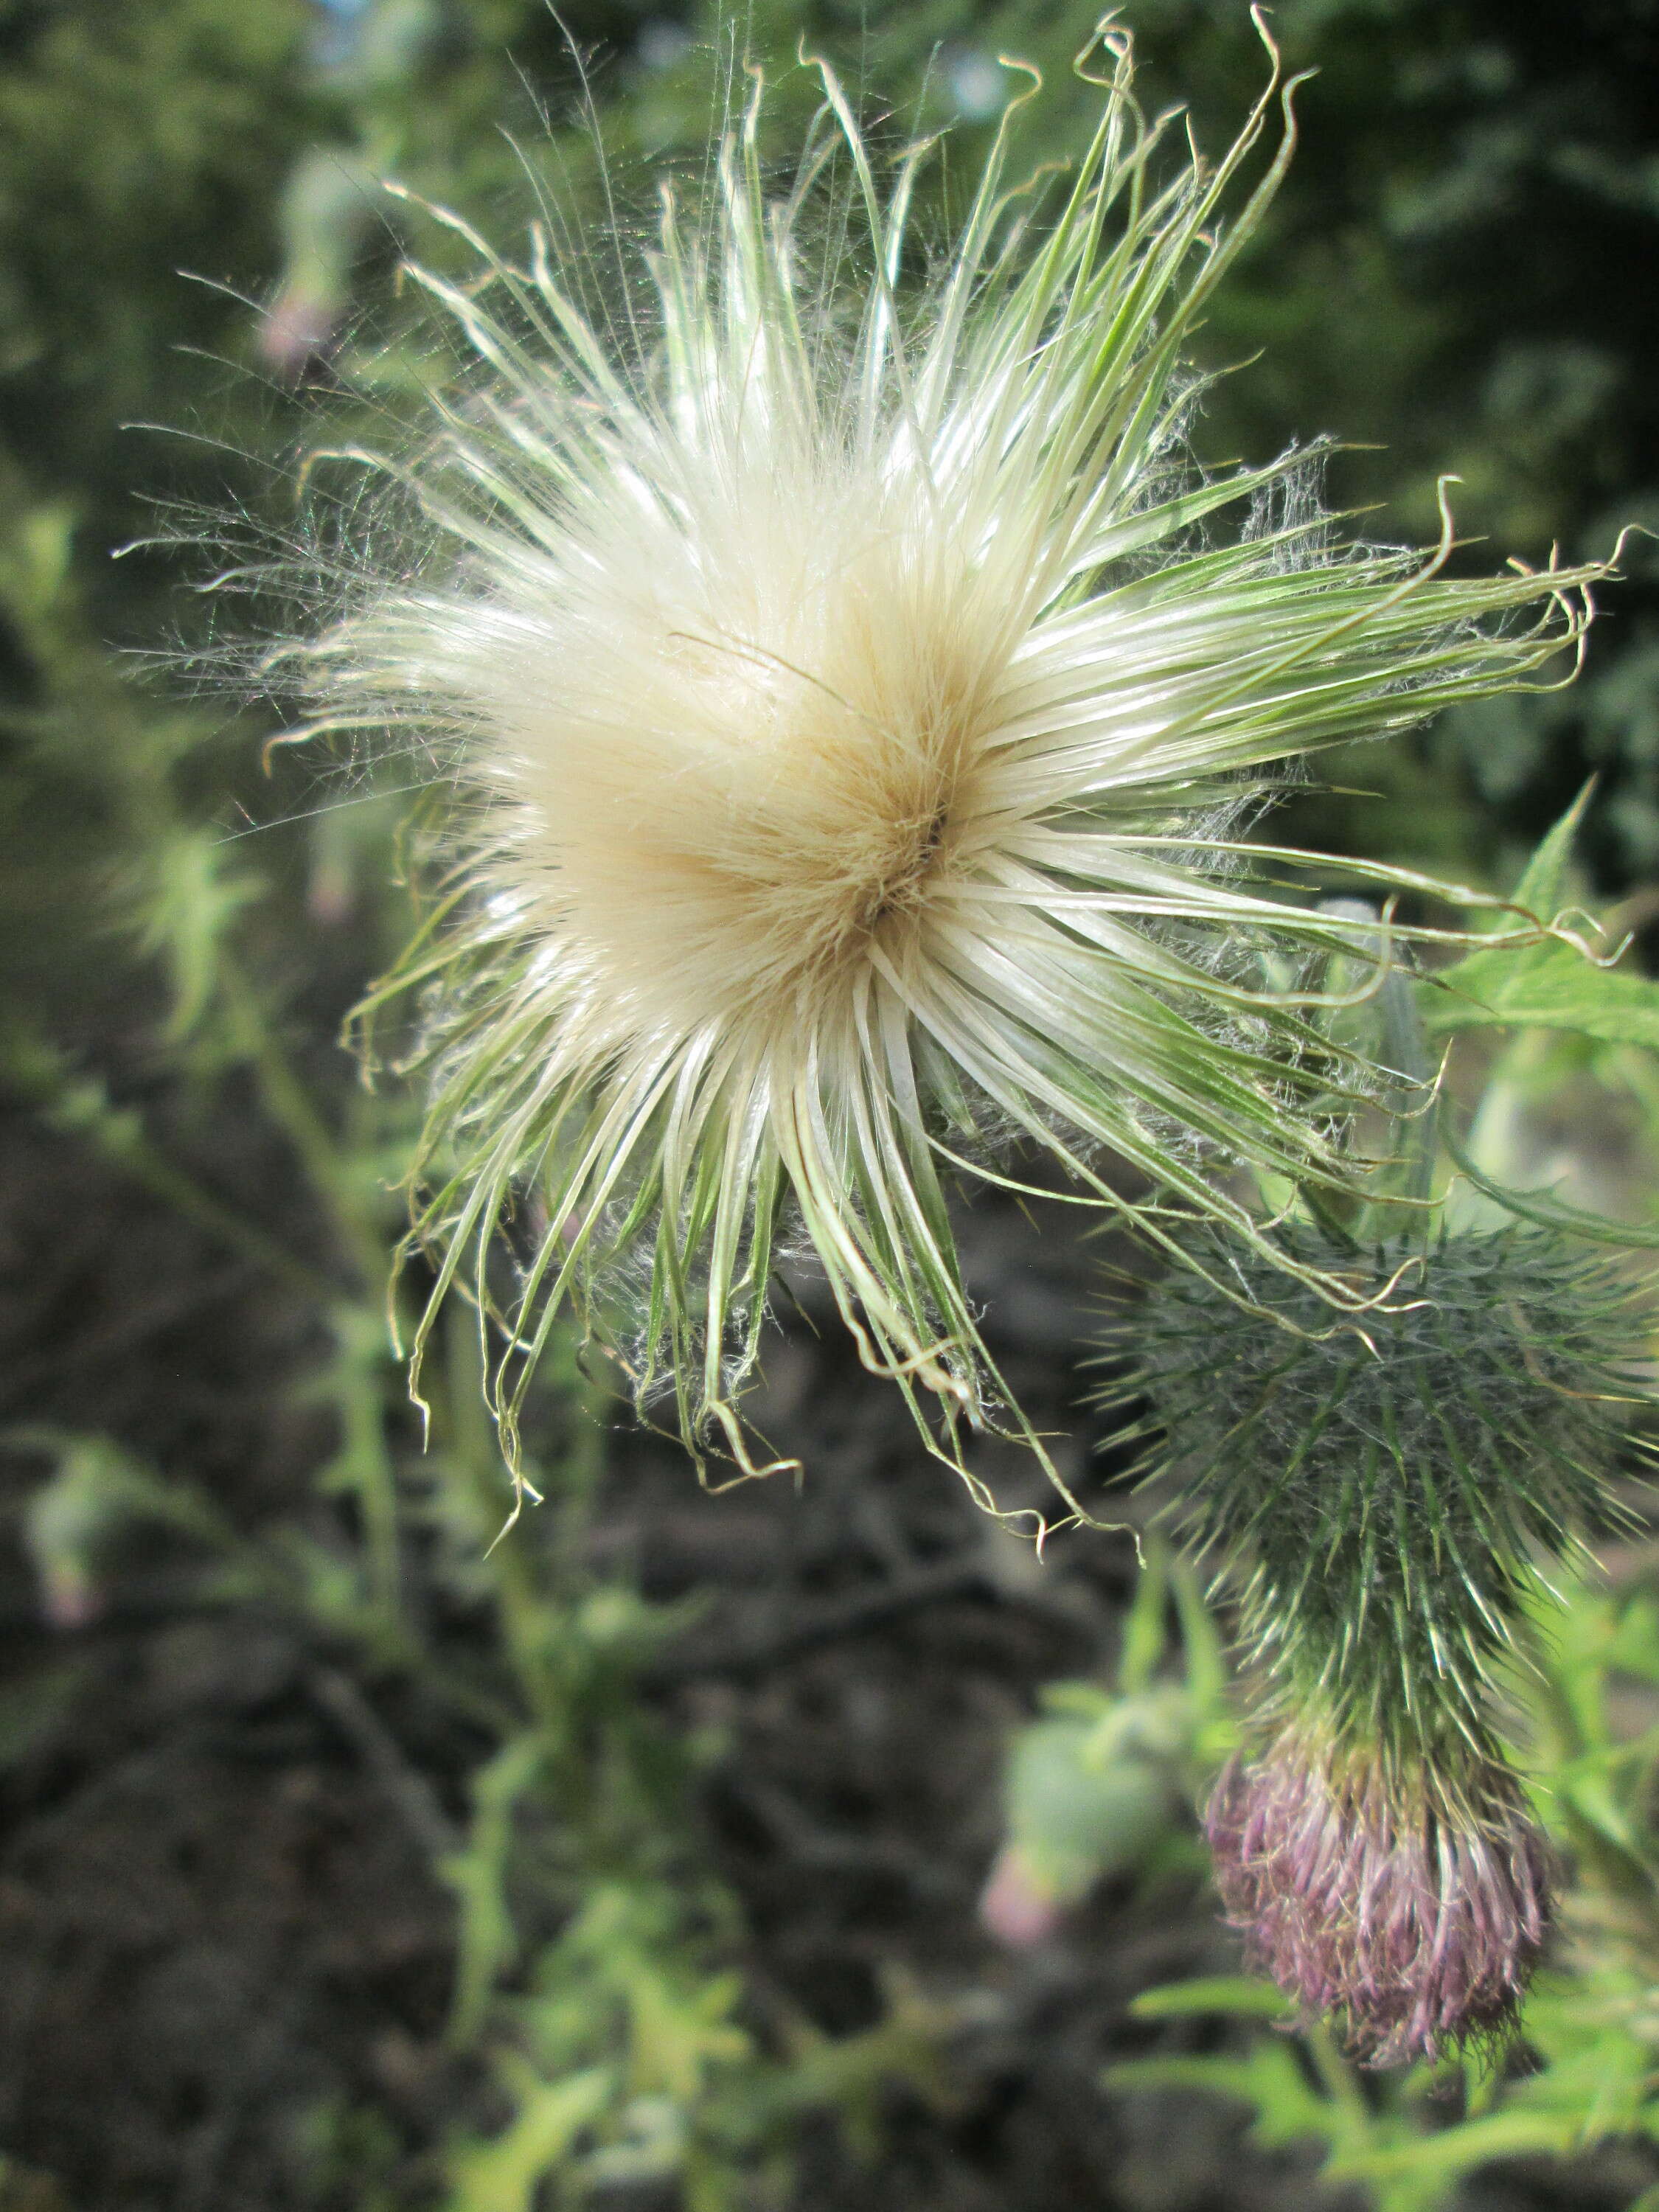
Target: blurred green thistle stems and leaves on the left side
[620,2049]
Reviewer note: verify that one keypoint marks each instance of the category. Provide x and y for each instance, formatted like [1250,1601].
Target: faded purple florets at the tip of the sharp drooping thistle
[1415,1919]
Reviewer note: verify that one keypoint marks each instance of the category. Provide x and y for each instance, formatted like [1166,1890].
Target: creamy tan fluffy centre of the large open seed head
[740,769]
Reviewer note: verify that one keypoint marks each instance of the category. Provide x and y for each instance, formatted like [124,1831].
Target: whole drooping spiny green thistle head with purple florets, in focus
[1384,1499]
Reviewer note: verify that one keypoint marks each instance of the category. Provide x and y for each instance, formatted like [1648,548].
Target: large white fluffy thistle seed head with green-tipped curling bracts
[844,700]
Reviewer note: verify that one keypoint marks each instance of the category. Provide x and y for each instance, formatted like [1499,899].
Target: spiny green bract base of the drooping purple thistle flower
[1386,1494]
